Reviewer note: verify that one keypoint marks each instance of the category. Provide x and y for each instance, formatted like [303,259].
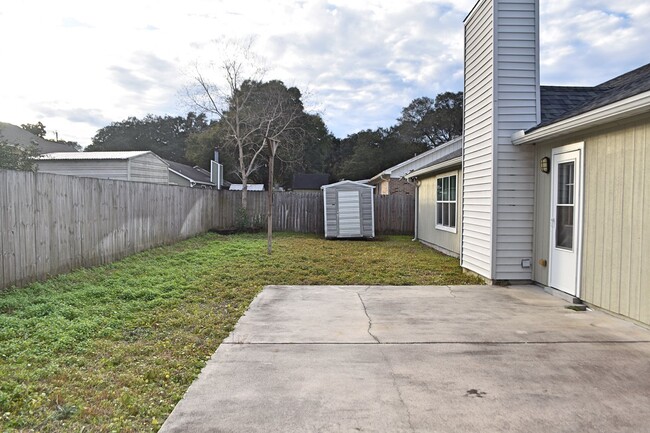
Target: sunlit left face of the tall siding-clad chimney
[477,147]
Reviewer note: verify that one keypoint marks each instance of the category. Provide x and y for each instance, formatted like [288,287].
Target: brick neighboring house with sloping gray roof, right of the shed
[393,181]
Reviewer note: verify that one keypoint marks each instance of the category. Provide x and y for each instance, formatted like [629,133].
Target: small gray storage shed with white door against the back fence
[349,210]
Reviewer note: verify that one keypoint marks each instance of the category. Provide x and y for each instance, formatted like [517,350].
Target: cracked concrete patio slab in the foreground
[421,359]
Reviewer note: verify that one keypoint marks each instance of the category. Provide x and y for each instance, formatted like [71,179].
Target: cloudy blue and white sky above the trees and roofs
[77,66]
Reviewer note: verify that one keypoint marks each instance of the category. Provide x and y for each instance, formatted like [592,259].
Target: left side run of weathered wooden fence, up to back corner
[53,224]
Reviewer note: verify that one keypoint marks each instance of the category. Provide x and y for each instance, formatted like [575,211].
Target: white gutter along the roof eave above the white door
[617,111]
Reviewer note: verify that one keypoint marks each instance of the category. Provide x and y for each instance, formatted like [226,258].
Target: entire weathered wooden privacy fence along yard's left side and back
[50,224]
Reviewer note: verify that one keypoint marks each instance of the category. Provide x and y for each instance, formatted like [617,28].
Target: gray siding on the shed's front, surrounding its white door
[331,209]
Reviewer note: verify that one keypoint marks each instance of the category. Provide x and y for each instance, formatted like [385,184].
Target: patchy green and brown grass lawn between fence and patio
[114,348]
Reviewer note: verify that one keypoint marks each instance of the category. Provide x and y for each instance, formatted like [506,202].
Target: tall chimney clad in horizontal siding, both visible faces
[501,97]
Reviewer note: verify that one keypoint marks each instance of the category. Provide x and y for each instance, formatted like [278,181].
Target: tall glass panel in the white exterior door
[564,214]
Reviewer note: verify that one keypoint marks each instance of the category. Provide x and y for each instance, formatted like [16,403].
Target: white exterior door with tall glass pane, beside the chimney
[566,219]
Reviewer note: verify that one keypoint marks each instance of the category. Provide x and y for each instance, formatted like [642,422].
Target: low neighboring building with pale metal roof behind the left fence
[137,166]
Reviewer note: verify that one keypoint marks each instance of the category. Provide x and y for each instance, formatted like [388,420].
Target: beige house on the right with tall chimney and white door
[553,187]
